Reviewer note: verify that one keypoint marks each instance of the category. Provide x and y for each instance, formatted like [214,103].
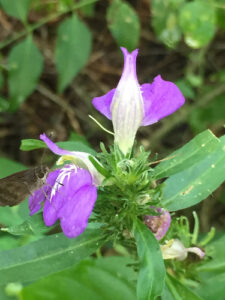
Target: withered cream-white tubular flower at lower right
[174,249]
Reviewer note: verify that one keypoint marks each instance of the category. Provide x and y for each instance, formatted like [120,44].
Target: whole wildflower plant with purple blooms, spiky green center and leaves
[119,198]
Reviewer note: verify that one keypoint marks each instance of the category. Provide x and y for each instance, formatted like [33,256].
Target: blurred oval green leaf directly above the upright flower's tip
[124,24]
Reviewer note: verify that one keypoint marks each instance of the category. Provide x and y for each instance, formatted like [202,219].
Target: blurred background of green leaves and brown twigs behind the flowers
[56,55]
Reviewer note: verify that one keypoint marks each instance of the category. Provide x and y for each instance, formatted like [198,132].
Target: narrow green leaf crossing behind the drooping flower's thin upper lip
[32,144]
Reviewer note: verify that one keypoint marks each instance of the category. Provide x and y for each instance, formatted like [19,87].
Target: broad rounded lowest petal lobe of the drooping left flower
[75,213]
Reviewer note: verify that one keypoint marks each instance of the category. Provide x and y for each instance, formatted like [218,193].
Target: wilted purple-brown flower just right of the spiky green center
[159,224]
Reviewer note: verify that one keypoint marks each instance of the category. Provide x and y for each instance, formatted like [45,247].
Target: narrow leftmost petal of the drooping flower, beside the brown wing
[40,195]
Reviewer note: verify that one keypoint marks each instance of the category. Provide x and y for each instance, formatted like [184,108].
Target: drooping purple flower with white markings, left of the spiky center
[69,193]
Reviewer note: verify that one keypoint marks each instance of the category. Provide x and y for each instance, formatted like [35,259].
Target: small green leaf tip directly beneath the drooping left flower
[32,226]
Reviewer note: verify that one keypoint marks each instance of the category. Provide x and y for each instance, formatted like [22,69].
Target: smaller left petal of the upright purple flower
[103,103]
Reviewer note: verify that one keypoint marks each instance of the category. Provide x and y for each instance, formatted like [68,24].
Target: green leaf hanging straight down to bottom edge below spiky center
[152,270]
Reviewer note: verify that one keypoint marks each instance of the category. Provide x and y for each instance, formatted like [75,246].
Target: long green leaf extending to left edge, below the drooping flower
[47,256]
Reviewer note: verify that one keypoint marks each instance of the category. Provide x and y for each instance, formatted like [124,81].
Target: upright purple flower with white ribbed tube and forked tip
[131,105]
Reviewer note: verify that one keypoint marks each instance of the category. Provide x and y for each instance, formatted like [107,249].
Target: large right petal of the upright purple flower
[161,98]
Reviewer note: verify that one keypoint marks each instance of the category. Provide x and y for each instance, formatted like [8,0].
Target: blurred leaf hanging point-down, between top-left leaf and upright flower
[73,47]
